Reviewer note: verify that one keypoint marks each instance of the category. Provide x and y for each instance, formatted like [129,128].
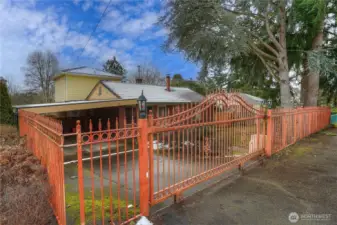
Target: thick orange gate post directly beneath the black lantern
[143,167]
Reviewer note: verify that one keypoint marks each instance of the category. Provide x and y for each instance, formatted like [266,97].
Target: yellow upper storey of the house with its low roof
[76,83]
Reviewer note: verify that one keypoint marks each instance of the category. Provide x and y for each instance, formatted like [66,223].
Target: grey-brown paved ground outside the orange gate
[301,180]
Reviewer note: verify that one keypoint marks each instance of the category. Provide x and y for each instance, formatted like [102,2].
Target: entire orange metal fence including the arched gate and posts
[121,172]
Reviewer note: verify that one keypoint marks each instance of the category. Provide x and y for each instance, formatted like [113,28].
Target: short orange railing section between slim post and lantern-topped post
[107,167]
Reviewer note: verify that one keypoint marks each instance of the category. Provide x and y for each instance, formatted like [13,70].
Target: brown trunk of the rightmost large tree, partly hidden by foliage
[313,76]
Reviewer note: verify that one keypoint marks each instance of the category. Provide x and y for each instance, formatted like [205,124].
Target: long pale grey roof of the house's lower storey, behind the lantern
[153,94]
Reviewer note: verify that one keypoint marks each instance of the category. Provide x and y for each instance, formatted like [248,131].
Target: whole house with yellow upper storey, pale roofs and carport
[85,93]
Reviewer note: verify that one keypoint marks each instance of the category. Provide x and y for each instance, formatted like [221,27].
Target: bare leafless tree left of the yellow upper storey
[41,67]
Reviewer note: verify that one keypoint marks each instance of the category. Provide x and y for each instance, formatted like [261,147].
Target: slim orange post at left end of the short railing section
[80,172]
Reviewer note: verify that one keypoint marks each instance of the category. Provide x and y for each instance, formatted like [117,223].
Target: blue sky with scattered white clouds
[128,31]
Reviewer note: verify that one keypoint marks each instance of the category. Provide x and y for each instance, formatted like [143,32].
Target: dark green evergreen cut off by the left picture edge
[6,112]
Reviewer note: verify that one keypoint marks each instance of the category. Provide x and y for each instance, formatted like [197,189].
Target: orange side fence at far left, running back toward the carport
[44,138]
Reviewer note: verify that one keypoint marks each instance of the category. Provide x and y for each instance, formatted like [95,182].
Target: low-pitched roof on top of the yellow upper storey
[87,71]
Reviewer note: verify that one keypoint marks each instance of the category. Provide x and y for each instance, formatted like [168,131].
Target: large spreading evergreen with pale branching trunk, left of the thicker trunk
[213,32]
